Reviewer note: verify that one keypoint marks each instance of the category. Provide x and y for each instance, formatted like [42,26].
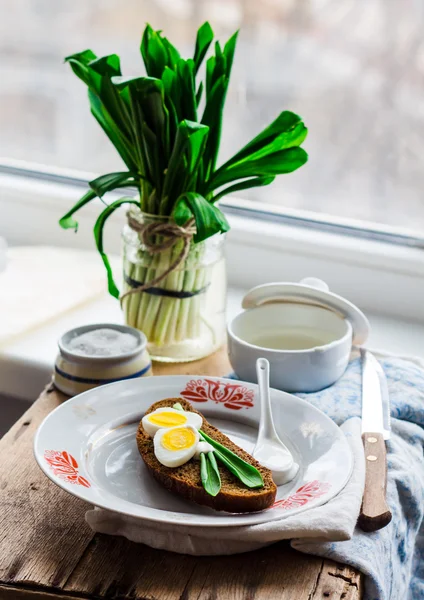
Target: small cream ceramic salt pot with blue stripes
[75,373]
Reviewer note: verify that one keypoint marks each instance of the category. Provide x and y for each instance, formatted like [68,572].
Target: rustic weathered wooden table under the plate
[48,551]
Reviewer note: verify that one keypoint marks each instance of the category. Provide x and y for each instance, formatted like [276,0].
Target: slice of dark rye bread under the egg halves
[185,480]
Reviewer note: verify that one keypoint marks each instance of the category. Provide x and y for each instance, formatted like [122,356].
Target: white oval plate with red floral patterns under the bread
[87,447]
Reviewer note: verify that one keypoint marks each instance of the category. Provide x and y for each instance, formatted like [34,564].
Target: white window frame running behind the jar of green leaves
[378,268]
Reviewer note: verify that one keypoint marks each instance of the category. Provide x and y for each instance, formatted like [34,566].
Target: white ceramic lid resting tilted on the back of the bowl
[316,293]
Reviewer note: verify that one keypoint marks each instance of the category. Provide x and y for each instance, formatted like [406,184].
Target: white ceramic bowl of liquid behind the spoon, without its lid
[292,370]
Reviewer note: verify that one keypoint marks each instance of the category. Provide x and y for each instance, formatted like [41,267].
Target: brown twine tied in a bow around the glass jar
[172,234]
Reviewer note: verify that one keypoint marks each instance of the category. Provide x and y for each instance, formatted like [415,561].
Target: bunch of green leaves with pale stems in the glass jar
[166,127]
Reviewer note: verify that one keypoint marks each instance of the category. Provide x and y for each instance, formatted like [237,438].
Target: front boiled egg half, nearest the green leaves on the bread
[176,445]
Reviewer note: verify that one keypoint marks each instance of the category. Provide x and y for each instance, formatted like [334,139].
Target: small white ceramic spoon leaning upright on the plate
[270,451]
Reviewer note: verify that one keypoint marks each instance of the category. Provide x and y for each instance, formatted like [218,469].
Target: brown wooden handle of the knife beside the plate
[375,514]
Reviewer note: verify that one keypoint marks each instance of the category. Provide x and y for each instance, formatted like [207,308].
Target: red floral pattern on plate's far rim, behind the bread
[231,395]
